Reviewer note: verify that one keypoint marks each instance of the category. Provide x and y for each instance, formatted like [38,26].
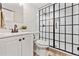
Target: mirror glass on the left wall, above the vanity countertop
[9,19]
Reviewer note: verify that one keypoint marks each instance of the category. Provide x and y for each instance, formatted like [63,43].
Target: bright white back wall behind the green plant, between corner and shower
[30,11]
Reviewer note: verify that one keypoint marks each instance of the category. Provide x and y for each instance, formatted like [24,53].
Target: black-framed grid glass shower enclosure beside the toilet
[59,24]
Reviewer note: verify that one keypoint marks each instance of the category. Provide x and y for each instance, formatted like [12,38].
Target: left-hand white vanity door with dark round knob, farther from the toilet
[13,46]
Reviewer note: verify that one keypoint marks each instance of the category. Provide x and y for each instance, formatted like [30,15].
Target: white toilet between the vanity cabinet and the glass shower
[41,46]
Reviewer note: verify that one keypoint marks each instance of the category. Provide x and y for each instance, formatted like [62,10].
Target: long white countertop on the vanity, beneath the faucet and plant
[4,35]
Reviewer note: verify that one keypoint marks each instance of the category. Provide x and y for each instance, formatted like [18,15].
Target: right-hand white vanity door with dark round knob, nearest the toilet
[27,45]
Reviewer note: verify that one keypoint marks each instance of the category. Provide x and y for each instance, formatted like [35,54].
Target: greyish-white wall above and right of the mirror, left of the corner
[18,10]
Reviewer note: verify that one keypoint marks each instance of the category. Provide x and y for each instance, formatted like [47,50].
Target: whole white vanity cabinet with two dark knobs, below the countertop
[21,45]
